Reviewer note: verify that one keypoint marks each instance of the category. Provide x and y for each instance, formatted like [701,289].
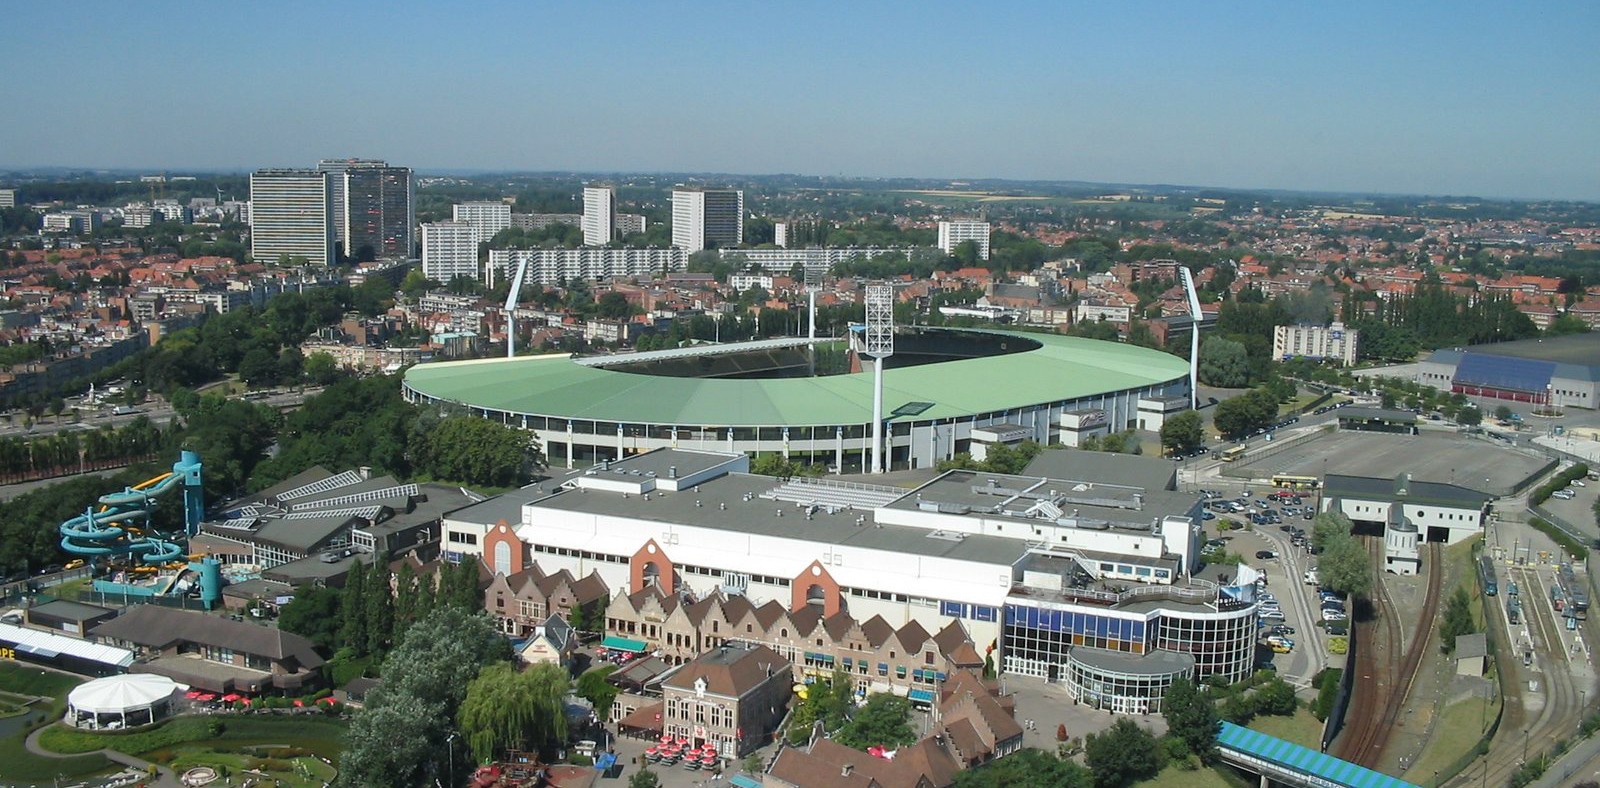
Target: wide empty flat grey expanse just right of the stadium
[1430,457]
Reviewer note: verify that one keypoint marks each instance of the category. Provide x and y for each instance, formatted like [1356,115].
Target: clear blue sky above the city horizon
[1486,98]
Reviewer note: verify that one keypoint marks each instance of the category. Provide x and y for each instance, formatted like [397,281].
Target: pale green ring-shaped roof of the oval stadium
[1062,369]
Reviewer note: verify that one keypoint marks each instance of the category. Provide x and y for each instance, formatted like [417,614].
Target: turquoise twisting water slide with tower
[121,523]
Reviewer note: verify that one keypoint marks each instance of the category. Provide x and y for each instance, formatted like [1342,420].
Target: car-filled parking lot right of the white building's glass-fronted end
[1290,603]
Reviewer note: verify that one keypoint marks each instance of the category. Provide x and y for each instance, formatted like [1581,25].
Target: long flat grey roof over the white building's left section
[721,504]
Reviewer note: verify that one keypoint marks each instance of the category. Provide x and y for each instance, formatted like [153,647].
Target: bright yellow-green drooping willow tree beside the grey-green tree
[508,710]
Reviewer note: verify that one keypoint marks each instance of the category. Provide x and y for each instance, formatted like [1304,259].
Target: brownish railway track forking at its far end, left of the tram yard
[1383,670]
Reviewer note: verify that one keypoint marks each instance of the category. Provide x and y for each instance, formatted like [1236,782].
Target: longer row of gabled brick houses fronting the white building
[879,657]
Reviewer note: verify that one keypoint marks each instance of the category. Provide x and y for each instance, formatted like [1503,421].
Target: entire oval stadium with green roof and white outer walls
[809,400]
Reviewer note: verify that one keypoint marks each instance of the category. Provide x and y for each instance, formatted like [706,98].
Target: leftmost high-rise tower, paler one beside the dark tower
[290,215]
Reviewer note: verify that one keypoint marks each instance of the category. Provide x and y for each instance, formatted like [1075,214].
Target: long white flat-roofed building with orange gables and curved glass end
[1020,560]
